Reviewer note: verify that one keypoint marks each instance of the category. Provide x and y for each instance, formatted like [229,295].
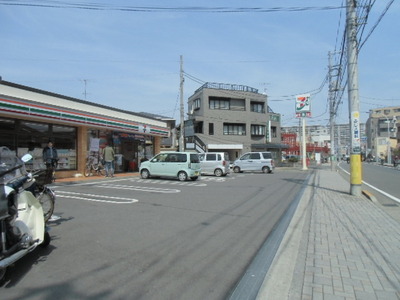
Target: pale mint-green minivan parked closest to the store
[182,165]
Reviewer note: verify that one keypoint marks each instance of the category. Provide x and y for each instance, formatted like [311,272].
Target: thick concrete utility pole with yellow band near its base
[354,111]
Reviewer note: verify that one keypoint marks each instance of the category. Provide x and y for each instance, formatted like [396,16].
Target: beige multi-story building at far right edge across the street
[382,128]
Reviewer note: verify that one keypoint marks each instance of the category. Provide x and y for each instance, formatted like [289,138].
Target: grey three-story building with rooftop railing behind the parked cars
[233,119]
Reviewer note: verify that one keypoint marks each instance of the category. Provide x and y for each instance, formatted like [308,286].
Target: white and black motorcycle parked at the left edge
[22,222]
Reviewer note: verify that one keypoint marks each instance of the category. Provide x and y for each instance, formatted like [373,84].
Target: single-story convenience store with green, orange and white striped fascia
[79,129]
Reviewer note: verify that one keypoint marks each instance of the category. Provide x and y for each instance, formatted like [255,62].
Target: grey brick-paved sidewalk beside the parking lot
[337,246]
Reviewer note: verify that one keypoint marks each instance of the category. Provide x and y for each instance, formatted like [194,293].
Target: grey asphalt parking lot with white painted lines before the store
[128,238]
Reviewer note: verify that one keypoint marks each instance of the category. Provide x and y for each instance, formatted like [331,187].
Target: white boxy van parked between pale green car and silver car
[214,163]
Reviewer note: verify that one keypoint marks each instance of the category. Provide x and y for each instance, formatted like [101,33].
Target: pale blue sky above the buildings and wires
[118,54]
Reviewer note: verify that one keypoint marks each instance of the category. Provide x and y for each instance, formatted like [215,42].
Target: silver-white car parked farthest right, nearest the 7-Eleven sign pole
[254,161]
